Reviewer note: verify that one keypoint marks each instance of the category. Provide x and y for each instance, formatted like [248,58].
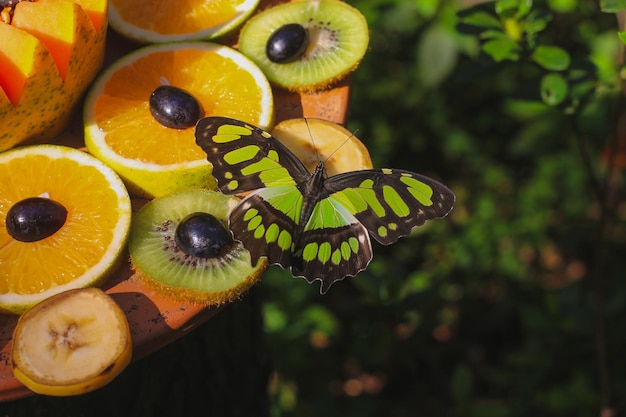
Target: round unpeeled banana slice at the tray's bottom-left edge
[71,343]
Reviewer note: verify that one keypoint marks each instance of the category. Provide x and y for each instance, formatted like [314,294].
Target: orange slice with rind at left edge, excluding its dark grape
[89,243]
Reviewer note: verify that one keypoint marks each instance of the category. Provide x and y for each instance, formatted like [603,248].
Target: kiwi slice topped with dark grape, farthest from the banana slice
[306,45]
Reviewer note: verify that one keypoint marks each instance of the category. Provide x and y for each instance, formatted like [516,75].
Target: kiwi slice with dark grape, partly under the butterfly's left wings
[180,246]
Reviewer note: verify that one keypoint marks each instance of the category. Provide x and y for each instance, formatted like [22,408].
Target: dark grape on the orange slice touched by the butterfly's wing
[174,107]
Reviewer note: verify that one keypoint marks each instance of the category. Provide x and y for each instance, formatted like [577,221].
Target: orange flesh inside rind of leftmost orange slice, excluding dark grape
[86,235]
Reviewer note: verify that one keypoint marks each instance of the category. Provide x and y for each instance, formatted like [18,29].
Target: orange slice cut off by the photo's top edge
[154,21]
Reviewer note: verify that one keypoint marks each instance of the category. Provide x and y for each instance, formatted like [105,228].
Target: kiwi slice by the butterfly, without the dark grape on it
[165,269]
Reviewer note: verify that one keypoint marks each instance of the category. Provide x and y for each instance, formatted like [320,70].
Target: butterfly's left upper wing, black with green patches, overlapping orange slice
[246,158]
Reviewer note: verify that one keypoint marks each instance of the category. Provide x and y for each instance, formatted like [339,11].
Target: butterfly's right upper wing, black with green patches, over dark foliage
[390,202]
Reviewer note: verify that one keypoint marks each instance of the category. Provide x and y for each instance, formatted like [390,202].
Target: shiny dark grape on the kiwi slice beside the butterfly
[203,236]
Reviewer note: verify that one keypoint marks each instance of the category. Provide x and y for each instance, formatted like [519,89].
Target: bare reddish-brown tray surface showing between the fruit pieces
[155,320]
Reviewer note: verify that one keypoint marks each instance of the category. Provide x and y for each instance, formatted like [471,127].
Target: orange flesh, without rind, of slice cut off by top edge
[165,17]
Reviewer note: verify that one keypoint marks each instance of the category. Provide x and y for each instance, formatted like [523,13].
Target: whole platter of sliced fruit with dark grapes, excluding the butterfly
[92,134]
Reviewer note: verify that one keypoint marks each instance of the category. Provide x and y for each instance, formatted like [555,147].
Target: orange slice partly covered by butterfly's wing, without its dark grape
[155,160]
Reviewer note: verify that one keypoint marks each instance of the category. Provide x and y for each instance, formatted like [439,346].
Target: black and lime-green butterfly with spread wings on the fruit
[318,227]
